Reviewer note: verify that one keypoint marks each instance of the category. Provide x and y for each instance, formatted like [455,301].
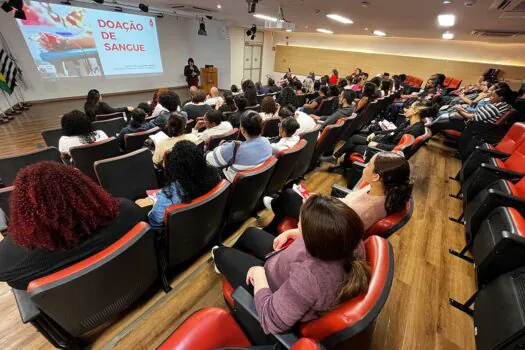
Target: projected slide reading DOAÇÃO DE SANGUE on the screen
[69,41]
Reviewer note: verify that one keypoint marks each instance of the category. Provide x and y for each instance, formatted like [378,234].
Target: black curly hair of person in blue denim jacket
[186,165]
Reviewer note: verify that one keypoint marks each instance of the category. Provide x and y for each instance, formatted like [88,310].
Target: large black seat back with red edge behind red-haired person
[77,299]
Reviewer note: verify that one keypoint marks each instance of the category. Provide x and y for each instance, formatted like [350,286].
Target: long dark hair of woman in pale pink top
[394,171]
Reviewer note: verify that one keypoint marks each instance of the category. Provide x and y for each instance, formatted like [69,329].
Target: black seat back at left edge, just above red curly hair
[9,166]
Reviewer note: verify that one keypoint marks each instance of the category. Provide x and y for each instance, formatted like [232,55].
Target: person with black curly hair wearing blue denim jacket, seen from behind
[188,176]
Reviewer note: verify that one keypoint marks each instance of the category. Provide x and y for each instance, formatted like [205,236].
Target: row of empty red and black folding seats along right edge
[493,193]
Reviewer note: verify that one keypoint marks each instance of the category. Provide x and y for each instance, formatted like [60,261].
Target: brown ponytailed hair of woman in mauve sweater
[332,231]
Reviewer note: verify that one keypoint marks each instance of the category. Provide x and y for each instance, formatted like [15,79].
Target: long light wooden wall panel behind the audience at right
[302,60]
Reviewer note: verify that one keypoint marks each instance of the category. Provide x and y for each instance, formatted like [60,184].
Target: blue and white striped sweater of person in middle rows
[250,154]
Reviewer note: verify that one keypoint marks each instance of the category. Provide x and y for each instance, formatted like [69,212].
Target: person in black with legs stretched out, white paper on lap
[387,139]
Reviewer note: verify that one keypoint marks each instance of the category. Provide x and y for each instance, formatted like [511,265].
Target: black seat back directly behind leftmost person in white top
[84,156]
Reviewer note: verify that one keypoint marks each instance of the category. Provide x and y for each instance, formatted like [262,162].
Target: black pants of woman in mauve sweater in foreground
[248,251]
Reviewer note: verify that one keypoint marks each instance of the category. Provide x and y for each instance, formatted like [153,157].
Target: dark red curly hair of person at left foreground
[55,207]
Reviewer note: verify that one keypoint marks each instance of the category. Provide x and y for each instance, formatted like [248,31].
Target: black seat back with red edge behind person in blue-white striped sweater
[247,188]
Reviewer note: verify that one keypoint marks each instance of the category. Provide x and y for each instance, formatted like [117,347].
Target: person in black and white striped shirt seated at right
[488,113]
